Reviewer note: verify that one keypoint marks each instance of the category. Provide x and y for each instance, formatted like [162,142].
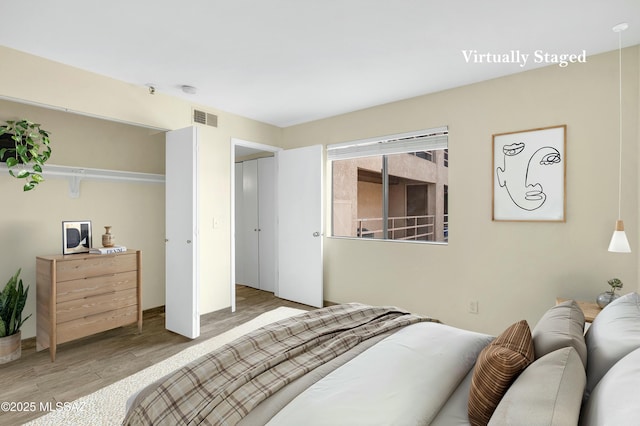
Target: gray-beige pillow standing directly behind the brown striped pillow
[559,327]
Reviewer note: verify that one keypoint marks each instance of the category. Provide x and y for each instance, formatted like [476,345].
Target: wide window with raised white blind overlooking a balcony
[383,188]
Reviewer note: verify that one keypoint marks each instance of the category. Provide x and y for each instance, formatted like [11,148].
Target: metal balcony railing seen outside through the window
[417,228]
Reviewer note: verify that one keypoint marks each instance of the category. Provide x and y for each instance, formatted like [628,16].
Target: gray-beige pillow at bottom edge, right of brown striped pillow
[548,392]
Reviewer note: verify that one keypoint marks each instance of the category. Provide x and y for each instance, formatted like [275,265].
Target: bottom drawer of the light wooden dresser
[95,323]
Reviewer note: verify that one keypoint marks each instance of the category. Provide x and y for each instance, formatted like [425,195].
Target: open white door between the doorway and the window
[299,194]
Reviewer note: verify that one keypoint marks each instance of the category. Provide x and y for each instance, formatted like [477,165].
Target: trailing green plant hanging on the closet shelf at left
[28,152]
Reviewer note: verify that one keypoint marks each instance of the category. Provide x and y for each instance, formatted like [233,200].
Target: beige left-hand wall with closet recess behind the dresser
[31,221]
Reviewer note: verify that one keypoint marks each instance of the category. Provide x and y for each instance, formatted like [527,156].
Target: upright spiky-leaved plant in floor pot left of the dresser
[12,301]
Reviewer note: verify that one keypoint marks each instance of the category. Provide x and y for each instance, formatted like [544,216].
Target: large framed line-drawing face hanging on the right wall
[529,175]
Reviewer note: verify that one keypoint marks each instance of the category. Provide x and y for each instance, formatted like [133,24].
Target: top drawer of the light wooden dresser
[94,266]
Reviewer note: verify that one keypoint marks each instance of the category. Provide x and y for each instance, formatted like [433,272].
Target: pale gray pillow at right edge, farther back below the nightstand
[614,333]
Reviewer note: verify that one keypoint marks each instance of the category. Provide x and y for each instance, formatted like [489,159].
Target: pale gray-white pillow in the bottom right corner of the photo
[614,400]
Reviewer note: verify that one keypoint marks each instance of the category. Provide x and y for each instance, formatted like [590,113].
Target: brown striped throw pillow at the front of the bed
[498,365]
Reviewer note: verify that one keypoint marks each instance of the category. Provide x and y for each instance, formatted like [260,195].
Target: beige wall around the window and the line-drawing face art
[514,270]
